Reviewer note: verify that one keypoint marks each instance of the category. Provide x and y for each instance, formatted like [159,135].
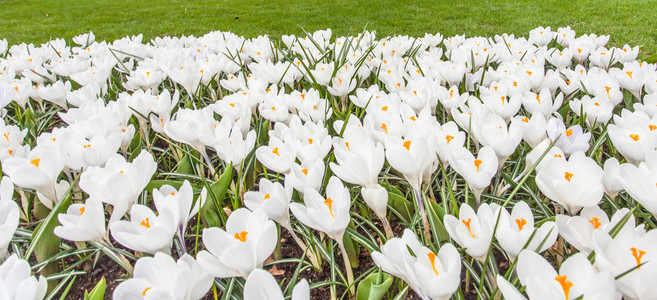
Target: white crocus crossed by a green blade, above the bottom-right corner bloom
[578,230]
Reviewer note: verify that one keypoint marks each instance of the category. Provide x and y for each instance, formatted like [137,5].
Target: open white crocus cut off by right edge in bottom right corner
[631,250]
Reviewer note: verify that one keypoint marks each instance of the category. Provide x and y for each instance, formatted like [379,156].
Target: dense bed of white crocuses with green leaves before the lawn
[430,167]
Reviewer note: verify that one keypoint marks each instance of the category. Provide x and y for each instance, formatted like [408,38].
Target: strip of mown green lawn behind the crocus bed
[630,21]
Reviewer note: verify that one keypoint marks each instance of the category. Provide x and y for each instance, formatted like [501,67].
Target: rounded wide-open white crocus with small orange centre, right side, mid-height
[574,184]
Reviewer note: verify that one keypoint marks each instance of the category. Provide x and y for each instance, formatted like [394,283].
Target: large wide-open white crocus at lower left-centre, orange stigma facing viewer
[249,238]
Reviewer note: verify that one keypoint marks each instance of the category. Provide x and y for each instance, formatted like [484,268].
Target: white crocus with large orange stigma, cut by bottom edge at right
[576,278]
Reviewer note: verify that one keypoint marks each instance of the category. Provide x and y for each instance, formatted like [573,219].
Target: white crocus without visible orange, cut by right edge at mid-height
[639,181]
